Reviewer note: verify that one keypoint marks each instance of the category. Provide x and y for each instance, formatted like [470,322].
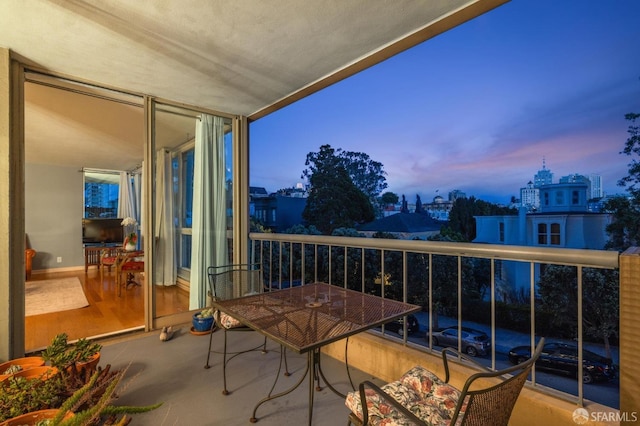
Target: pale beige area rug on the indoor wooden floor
[43,297]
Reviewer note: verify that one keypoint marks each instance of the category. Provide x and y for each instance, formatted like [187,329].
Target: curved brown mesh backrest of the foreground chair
[493,405]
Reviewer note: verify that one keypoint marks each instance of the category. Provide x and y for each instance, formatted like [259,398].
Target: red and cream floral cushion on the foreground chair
[419,390]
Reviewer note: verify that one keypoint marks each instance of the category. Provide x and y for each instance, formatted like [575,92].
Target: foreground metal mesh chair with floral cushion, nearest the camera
[421,398]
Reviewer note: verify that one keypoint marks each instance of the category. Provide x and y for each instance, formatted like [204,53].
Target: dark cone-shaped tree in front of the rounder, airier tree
[334,200]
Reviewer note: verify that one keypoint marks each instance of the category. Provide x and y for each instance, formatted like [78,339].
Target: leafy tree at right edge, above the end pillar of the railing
[624,231]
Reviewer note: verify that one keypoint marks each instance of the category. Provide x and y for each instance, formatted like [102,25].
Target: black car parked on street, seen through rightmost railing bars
[562,358]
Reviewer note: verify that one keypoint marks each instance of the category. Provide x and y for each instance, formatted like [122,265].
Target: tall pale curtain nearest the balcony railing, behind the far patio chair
[209,226]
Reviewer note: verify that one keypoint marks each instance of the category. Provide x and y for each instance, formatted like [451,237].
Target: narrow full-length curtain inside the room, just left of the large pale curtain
[165,265]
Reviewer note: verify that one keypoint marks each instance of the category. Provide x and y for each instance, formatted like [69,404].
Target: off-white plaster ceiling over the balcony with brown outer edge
[241,57]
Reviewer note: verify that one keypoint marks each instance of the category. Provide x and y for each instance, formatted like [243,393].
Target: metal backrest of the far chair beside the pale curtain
[232,281]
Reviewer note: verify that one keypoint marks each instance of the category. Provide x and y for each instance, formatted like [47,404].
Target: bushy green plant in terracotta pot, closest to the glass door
[85,354]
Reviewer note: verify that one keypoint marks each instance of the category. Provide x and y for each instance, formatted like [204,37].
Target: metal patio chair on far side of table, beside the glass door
[228,282]
